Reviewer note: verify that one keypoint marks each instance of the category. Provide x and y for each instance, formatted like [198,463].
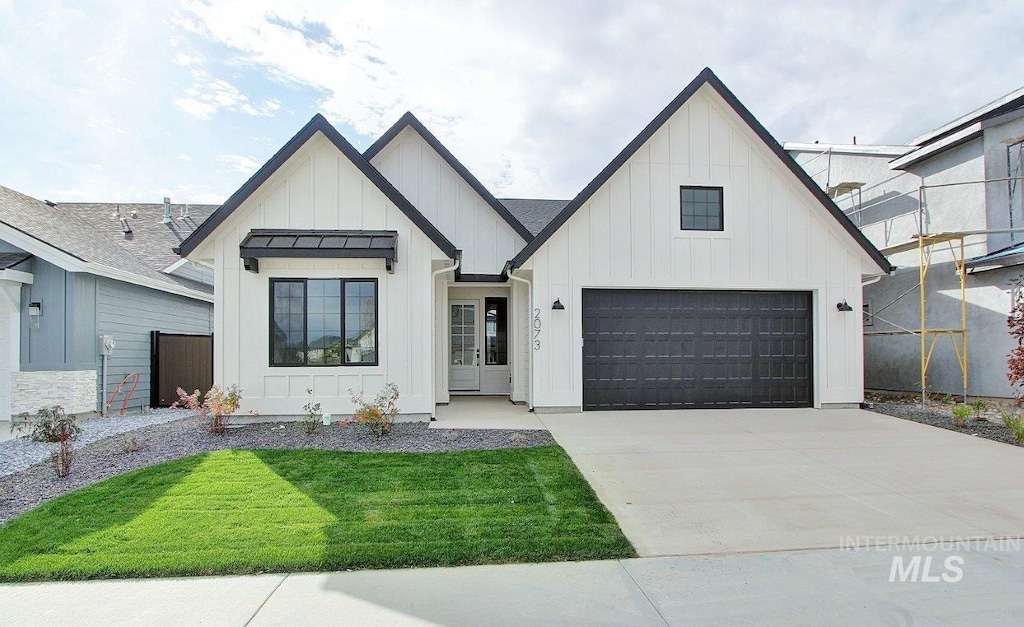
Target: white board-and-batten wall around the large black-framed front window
[320,188]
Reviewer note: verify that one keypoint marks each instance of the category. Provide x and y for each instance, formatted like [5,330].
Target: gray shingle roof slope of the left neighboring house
[67,230]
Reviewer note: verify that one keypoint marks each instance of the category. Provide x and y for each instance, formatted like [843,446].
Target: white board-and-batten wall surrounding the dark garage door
[777,237]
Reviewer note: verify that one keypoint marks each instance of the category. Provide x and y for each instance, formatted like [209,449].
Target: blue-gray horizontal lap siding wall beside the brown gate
[131,313]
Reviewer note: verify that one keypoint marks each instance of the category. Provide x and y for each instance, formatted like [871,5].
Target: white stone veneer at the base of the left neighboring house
[75,391]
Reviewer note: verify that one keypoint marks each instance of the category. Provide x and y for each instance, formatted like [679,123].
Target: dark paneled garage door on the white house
[679,350]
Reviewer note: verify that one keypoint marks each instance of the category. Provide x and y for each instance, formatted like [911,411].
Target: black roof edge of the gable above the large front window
[318,123]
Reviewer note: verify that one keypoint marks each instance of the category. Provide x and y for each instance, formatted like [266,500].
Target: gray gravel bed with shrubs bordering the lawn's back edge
[156,444]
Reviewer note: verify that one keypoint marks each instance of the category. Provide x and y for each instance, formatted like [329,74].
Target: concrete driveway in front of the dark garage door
[686,483]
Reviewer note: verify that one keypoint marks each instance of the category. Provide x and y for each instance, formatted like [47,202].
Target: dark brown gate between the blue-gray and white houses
[180,361]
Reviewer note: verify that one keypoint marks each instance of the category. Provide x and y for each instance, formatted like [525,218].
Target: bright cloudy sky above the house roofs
[115,102]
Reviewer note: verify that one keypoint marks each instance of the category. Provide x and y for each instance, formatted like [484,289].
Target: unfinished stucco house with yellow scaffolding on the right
[961,187]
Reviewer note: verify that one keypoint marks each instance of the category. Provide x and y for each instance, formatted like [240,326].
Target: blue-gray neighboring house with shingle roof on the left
[72,273]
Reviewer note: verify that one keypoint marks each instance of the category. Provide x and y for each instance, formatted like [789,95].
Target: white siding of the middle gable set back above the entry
[450,203]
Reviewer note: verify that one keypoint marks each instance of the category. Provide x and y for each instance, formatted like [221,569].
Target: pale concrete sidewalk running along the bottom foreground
[797,589]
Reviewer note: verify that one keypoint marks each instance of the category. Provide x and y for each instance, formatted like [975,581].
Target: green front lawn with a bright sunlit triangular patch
[249,512]
